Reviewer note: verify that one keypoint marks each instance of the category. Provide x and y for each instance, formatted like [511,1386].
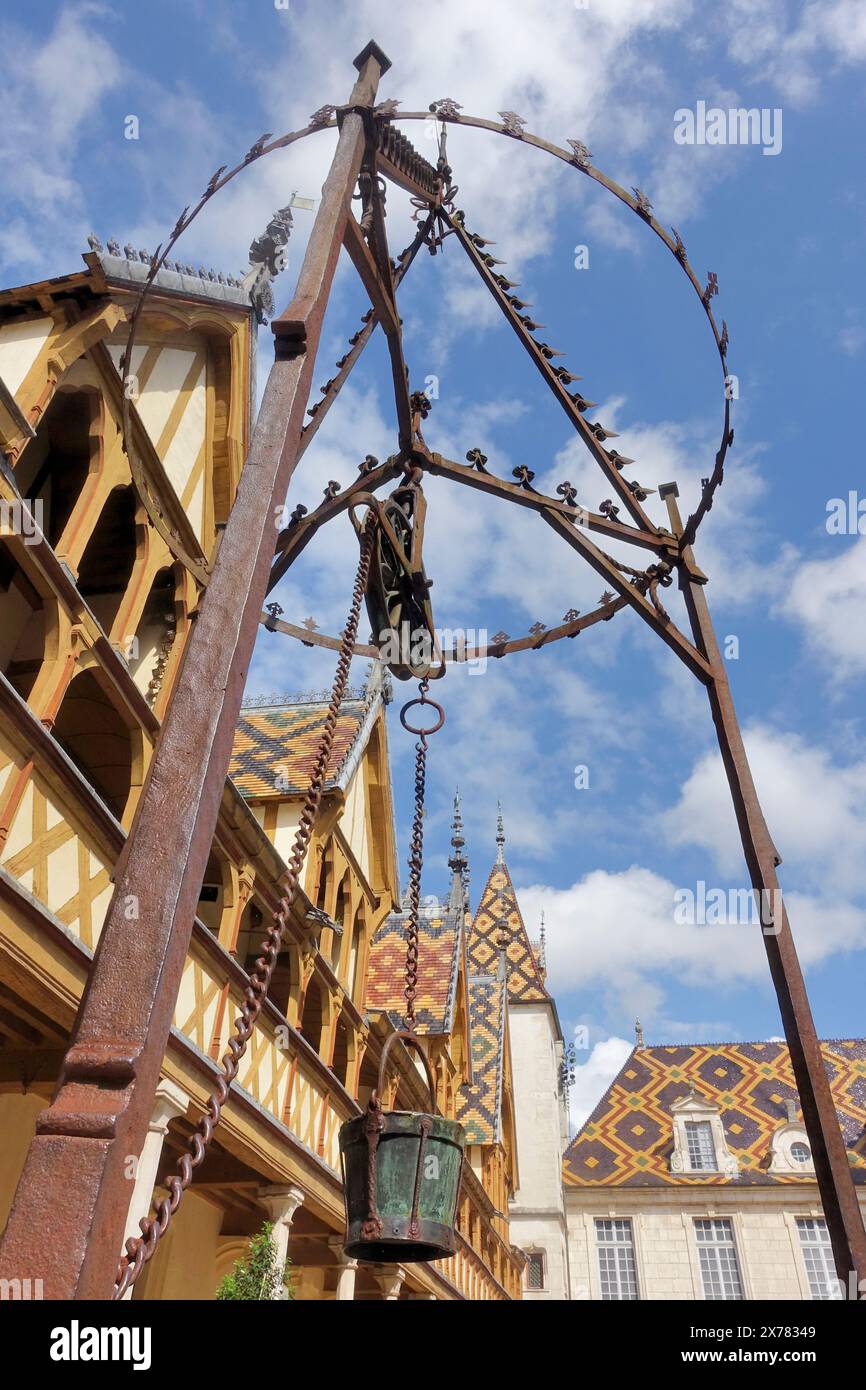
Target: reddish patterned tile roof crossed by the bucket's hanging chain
[439,970]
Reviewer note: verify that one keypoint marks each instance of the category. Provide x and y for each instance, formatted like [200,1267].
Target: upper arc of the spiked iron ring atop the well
[448,112]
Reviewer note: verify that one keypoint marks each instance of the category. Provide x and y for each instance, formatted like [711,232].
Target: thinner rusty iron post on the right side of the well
[829,1153]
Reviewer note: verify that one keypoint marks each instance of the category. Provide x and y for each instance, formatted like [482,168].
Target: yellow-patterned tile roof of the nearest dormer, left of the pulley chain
[275,751]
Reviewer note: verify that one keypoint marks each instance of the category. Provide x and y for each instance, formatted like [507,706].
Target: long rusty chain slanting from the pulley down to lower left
[141,1249]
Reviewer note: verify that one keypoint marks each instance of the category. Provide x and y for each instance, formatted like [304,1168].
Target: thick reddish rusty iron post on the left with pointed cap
[67,1221]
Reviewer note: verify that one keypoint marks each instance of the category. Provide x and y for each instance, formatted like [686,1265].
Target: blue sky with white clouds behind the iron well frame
[783,233]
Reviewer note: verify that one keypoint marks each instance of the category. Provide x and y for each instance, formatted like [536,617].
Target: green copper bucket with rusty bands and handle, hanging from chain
[401,1178]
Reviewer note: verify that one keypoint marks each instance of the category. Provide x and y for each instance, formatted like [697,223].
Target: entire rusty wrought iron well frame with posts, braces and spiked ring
[67,1221]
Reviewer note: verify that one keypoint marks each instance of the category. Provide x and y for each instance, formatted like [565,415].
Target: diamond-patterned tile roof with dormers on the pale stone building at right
[628,1140]
